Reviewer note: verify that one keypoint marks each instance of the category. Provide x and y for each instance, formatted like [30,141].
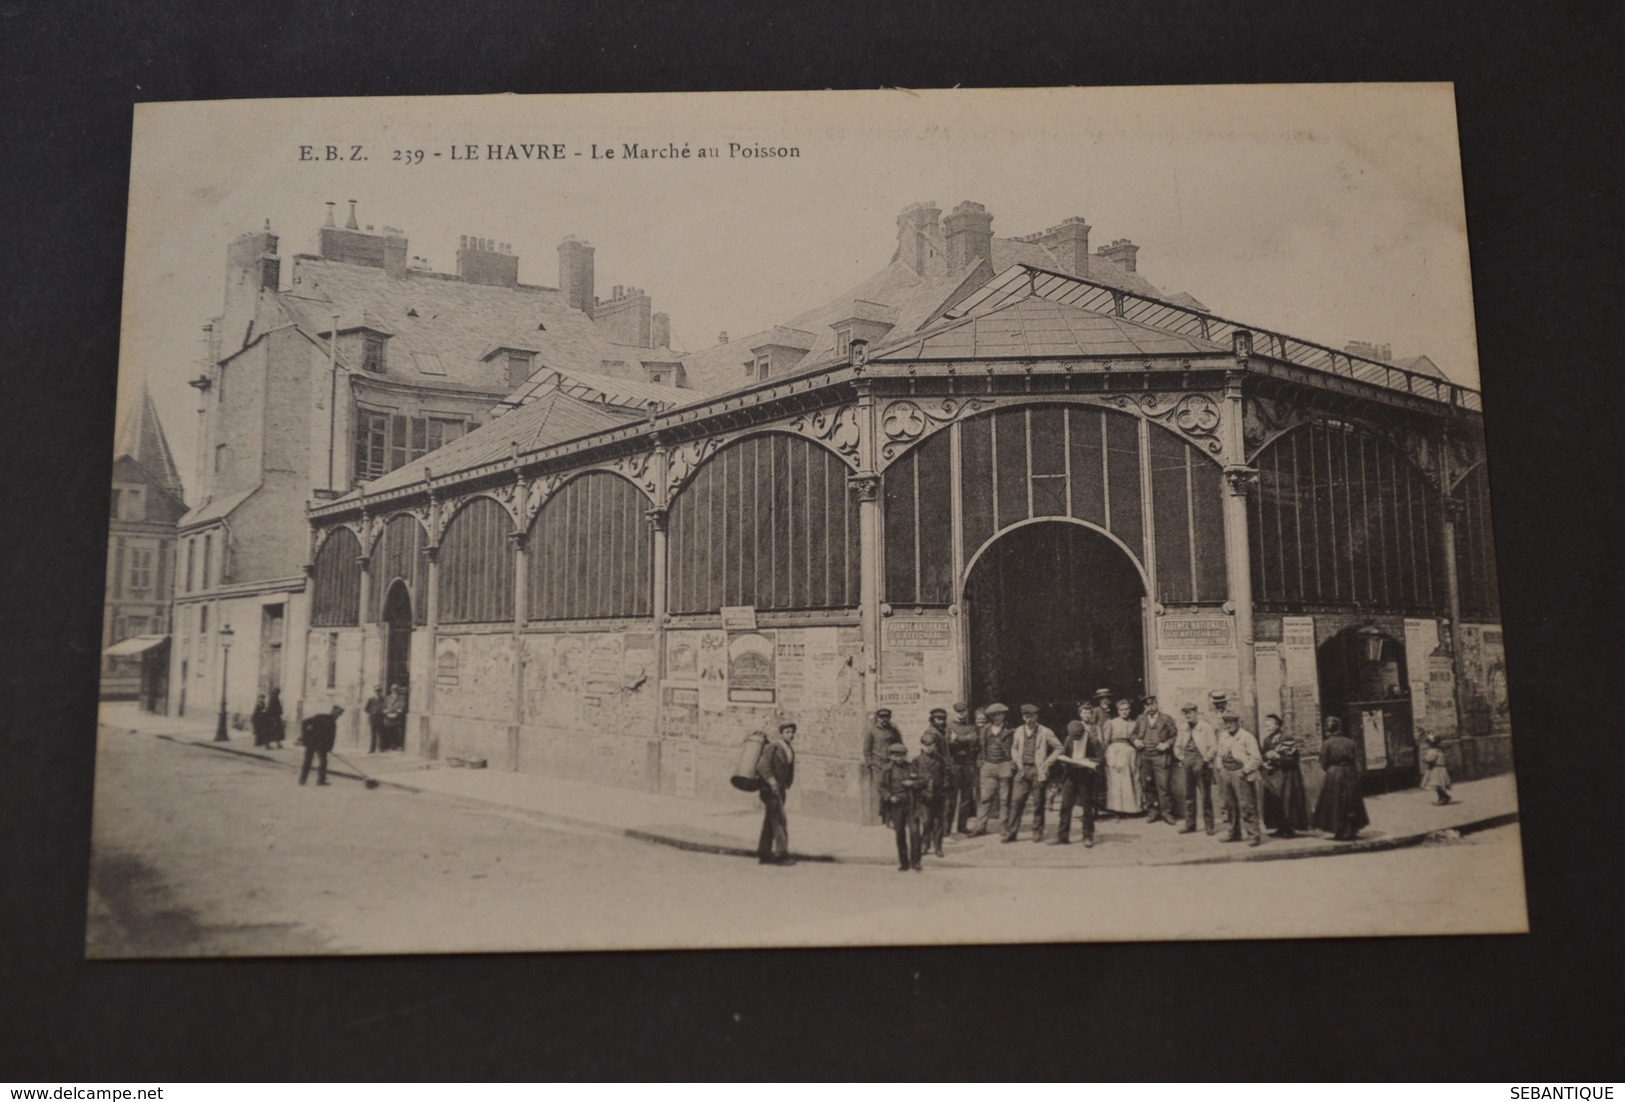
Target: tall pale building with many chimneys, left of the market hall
[357,362]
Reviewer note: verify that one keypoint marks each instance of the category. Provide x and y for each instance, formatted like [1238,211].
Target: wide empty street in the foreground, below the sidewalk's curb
[209,854]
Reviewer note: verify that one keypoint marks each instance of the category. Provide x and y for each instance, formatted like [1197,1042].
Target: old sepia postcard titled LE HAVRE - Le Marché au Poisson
[821,519]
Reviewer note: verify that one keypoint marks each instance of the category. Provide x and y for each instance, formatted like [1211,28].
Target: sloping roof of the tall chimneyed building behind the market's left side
[459,323]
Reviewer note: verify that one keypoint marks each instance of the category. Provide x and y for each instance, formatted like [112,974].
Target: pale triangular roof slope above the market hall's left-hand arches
[545,420]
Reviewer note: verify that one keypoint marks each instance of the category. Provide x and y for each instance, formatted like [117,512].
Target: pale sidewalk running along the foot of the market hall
[1402,818]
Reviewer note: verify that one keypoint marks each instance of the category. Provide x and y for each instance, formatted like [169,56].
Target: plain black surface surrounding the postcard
[1540,95]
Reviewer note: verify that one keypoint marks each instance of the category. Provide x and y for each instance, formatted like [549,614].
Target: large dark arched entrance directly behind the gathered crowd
[1055,612]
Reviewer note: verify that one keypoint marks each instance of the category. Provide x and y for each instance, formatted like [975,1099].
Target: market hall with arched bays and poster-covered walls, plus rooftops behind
[1039,485]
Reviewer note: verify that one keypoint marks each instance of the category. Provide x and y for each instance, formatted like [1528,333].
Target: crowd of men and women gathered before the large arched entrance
[976,773]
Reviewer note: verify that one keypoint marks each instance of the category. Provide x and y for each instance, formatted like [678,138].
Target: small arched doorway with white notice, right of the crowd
[1364,683]
